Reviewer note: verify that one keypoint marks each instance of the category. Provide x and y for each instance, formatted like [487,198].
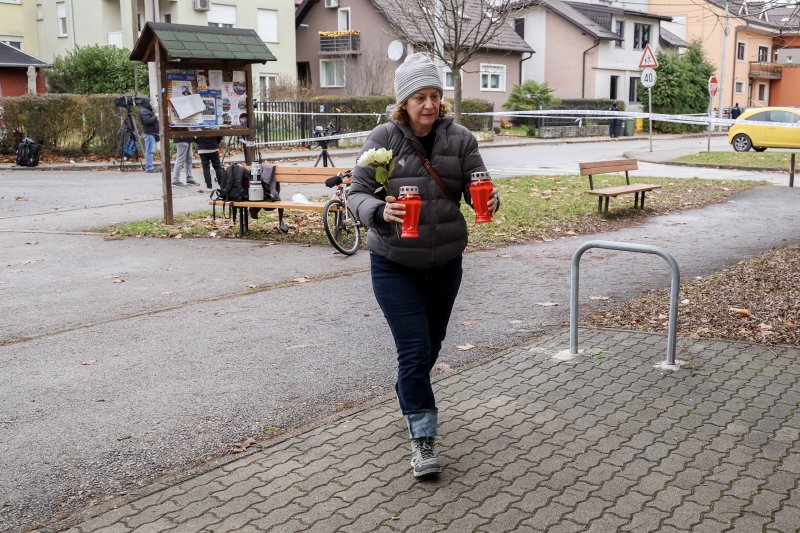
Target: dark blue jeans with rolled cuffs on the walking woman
[417,304]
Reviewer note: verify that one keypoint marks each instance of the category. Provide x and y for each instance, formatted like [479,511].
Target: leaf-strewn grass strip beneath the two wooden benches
[534,208]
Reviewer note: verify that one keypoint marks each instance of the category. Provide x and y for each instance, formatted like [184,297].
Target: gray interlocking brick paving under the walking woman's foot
[530,442]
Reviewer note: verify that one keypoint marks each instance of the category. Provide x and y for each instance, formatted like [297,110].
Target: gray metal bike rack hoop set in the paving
[625,247]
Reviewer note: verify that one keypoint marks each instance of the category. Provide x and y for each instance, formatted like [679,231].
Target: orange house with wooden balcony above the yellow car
[759,35]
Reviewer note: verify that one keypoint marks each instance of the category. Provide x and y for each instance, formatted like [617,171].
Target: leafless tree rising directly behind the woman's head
[452,31]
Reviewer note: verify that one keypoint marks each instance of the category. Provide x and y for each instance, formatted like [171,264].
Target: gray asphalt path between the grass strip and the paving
[126,360]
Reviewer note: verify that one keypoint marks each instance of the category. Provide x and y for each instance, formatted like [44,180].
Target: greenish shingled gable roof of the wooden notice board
[185,41]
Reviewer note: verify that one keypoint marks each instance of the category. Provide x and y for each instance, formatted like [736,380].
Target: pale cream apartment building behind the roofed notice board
[56,27]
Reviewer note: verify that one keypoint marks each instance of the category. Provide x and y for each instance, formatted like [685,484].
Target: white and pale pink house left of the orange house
[591,50]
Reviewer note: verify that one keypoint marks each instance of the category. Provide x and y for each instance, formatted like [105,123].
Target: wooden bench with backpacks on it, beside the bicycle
[285,174]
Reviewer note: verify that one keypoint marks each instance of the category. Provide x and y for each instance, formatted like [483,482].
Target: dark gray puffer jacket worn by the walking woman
[442,228]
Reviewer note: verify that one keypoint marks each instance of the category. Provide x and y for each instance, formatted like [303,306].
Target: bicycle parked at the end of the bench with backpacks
[342,226]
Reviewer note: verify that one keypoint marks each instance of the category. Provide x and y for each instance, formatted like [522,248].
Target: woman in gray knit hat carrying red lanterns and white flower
[416,281]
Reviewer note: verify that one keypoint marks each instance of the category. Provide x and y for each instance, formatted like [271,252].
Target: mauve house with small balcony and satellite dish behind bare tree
[348,47]
